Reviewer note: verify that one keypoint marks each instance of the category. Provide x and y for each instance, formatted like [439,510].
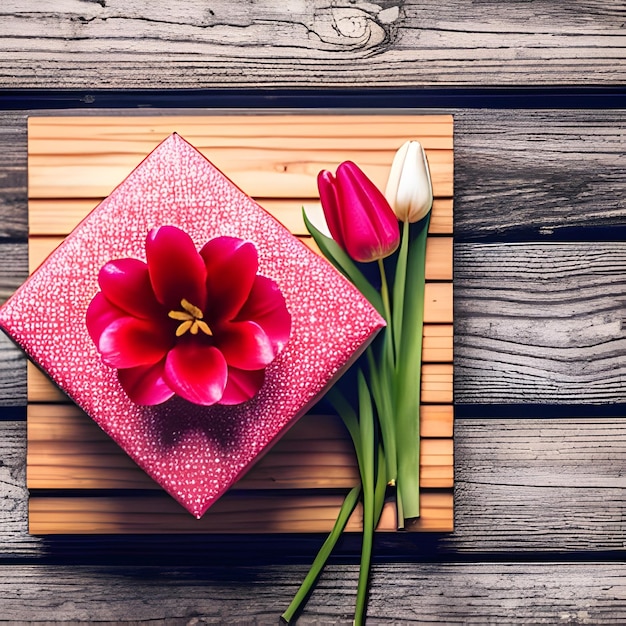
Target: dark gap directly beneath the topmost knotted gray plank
[542,97]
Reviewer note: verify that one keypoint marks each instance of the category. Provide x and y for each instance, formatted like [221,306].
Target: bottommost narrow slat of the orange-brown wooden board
[230,514]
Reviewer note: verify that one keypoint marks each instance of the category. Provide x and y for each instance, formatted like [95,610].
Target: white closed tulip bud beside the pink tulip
[409,189]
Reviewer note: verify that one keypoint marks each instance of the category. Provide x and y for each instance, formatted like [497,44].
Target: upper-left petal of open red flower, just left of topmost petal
[126,283]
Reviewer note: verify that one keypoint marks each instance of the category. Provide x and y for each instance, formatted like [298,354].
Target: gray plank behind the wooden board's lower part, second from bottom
[521,485]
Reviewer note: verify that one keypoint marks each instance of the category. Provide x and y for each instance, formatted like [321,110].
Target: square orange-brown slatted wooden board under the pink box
[79,480]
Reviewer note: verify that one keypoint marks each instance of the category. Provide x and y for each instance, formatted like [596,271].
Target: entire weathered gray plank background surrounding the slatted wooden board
[540,293]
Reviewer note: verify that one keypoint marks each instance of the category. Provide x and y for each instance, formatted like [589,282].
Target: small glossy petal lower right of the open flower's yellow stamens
[245,345]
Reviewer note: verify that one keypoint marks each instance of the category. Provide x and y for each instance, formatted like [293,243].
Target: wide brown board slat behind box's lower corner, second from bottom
[67,450]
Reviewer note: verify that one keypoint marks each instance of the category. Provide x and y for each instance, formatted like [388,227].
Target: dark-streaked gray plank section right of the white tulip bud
[539,174]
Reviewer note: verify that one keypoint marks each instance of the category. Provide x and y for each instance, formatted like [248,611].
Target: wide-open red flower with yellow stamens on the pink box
[202,325]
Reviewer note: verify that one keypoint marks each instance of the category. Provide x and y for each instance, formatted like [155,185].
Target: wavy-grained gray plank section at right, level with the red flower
[540,323]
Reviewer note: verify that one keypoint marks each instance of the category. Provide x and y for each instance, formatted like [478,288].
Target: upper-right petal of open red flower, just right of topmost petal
[231,266]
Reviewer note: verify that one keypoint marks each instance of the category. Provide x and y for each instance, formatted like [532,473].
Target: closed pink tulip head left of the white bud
[357,213]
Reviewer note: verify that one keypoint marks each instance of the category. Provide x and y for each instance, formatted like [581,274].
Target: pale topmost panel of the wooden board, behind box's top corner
[267,156]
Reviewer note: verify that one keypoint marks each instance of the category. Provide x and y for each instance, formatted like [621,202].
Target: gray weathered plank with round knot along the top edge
[262,44]
